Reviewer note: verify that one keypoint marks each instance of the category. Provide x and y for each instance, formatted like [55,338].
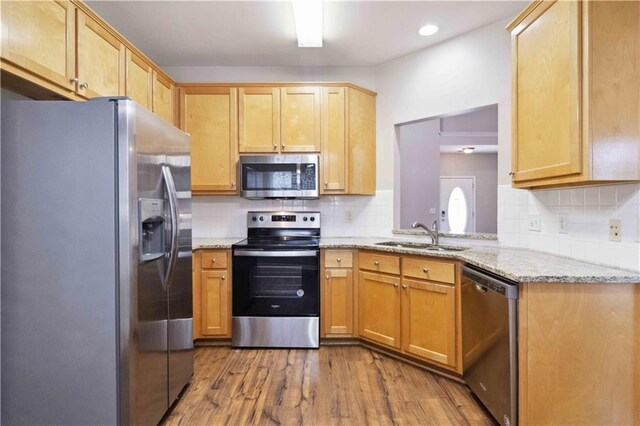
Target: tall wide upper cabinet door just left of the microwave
[209,115]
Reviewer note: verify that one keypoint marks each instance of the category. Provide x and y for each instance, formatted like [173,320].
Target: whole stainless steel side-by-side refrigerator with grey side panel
[96,263]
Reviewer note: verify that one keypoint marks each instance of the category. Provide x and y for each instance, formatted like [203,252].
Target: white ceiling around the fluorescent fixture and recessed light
[262,33]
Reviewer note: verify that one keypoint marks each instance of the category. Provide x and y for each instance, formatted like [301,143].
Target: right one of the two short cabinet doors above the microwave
[300,119]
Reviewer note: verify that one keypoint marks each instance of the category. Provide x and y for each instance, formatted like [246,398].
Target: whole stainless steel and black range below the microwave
[276,285]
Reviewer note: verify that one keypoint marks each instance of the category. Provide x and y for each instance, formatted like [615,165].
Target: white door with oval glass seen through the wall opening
[457,204]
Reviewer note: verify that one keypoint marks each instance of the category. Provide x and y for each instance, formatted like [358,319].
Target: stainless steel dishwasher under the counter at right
[490,341]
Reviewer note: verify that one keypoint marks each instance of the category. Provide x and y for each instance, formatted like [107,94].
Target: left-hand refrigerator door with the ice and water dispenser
[143,296]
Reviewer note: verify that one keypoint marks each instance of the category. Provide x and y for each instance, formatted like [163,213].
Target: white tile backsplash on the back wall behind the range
[226,216]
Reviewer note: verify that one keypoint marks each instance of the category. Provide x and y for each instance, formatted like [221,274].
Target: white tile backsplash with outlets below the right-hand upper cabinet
[588,209]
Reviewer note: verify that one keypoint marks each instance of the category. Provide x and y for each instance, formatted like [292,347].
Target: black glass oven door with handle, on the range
[276,283]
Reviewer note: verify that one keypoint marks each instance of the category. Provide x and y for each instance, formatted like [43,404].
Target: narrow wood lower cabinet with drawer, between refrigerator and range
[212,294]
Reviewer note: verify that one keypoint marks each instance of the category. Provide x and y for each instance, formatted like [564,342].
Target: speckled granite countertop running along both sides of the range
[520,265]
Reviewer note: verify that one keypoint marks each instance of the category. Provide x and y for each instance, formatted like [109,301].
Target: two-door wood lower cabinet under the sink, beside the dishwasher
[419,317]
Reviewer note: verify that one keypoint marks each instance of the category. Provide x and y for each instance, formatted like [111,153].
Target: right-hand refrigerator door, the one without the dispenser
[178,160]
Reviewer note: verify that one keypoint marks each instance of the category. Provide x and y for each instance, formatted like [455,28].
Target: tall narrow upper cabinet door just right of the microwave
[334,141]
